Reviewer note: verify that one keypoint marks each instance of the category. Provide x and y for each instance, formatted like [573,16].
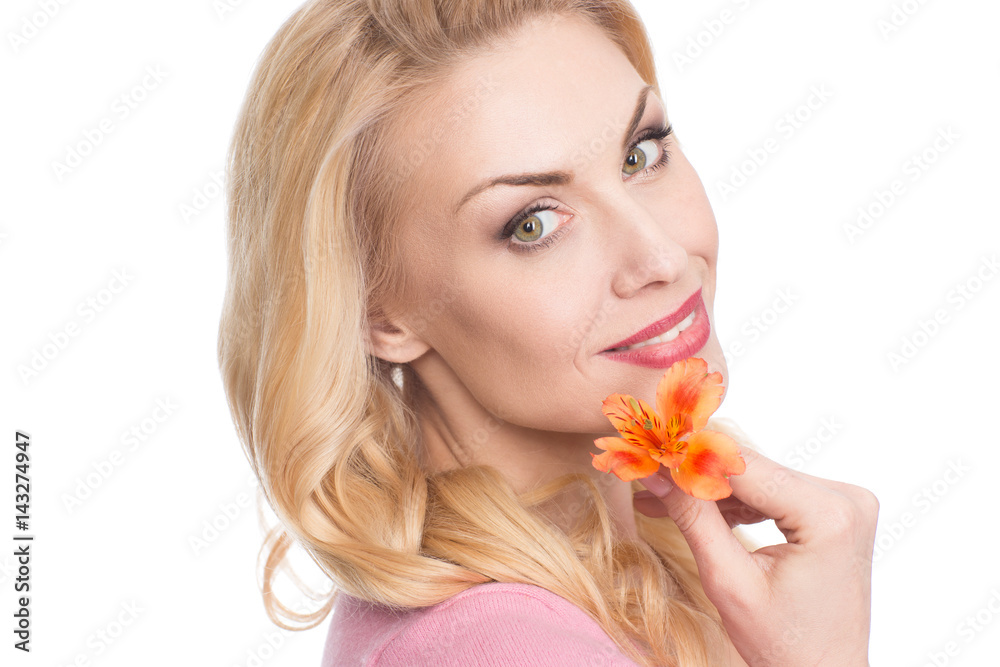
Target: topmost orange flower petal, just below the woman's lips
[688,389]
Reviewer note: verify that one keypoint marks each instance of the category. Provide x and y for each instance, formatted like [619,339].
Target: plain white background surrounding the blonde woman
[814,385]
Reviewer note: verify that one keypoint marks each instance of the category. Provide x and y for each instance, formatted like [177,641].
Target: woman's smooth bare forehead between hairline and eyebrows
[530,104]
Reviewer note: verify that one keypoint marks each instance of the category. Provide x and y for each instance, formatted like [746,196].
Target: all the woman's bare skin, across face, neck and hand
[508,343]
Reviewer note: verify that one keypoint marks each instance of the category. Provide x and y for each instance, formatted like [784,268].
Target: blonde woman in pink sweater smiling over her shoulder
[446,221]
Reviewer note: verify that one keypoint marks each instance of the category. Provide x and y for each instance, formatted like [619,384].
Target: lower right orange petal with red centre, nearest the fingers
[711,458]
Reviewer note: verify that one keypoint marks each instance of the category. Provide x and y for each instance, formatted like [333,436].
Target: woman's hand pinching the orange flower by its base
[806,602]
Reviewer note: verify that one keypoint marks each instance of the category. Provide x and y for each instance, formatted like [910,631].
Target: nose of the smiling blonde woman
[646,253]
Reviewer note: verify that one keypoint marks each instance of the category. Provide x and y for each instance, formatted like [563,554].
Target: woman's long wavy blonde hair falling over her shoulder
[329,430]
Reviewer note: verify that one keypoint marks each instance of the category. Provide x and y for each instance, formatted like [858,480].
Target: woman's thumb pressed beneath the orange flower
[715,548]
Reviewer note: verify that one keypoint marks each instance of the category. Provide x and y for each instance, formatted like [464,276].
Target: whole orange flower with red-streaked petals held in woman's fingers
[674,434]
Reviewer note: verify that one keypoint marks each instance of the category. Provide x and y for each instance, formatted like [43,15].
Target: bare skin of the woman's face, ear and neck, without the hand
[626,250]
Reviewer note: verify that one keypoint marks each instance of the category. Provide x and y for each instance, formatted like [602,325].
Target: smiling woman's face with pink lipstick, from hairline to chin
[520,307]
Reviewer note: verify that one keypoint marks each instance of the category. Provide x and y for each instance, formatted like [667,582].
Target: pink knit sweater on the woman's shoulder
[494,625]
